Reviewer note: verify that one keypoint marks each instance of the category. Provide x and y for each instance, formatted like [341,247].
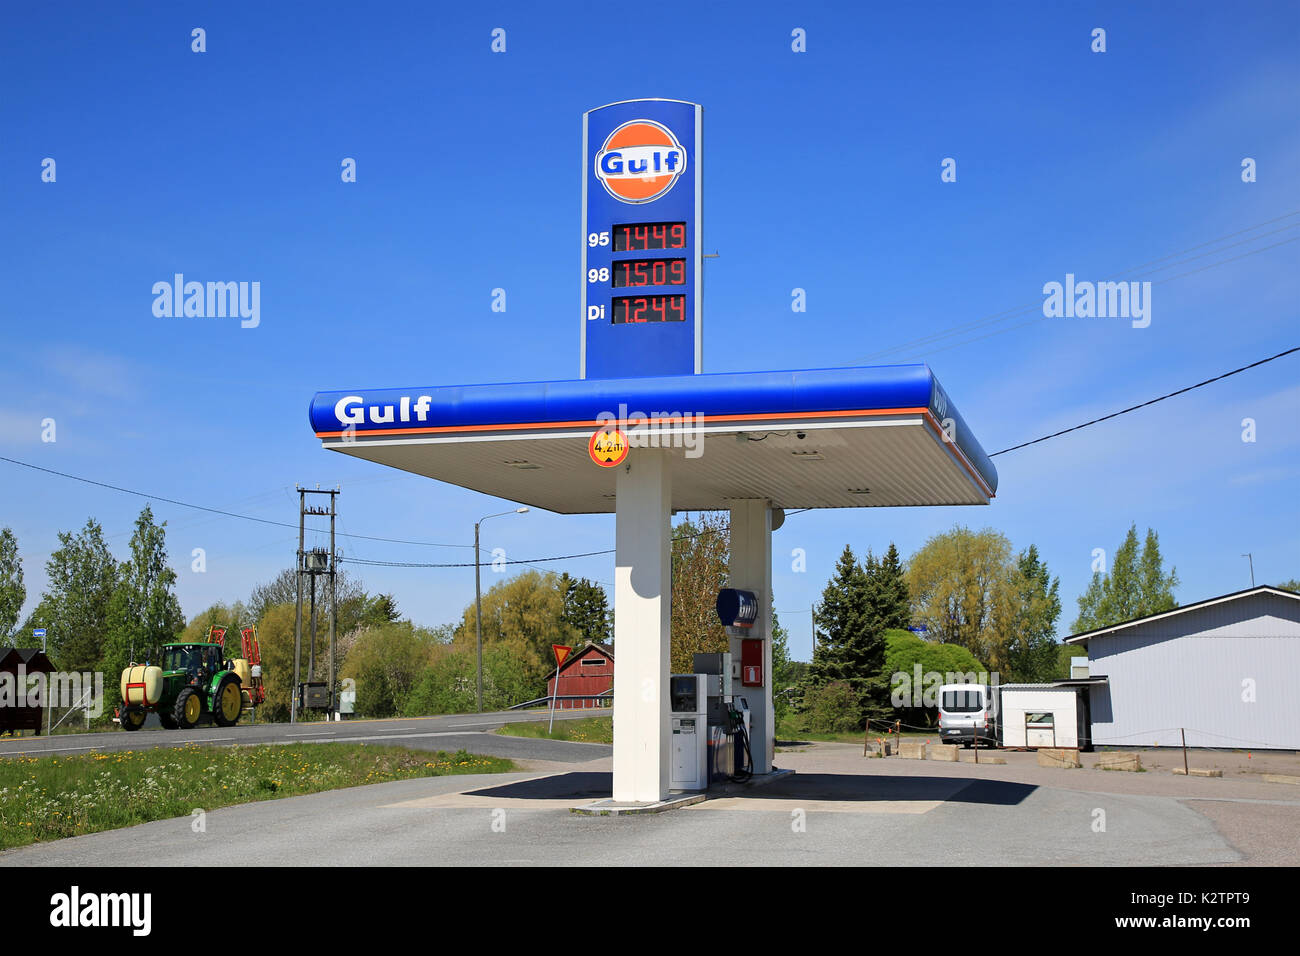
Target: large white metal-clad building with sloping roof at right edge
[1225,671]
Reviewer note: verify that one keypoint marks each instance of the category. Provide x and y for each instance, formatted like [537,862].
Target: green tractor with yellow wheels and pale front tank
[196,684]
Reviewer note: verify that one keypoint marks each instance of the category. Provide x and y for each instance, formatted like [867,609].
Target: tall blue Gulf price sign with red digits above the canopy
[642,240]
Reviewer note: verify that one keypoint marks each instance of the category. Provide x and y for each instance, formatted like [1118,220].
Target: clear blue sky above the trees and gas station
[822,172]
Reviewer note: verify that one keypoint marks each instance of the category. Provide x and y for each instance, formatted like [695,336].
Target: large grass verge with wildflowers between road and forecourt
[53,798]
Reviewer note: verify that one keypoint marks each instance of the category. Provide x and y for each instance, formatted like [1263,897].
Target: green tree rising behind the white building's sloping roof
[1136,587]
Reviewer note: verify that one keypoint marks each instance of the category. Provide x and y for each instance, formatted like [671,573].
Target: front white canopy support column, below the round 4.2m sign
[642,628]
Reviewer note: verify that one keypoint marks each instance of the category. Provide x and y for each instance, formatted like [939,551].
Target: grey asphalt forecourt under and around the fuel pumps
[838,810]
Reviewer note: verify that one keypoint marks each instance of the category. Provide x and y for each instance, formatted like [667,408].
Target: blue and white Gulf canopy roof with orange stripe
[838,438]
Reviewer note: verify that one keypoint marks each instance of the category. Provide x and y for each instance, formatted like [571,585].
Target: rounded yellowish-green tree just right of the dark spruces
[965,591]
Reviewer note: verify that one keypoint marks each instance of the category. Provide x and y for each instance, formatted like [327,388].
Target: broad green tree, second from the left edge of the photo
[75,611]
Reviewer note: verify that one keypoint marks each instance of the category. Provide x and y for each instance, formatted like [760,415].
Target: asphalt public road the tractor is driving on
[470,732]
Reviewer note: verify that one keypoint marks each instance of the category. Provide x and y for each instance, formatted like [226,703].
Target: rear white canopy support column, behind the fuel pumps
[752,570]
